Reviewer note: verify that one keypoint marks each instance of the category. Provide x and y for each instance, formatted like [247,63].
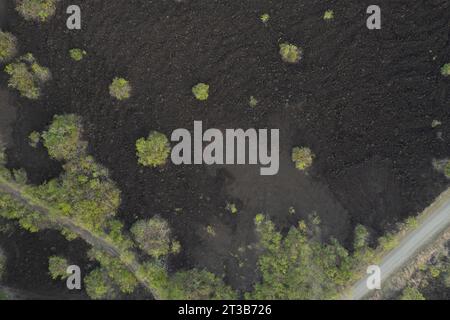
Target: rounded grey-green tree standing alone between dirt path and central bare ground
[154,237]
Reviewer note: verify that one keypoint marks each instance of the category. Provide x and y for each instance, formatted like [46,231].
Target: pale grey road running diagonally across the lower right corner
[429,229]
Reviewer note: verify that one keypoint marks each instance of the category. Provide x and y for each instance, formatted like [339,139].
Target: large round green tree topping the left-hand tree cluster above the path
[63,137]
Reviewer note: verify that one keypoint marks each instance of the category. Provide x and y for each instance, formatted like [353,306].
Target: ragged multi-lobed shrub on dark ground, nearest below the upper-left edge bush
[27,76]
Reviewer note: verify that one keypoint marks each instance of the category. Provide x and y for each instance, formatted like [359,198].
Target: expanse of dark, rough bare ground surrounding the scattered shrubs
[362,100]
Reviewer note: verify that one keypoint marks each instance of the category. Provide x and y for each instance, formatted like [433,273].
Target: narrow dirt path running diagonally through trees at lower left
[97,242]
